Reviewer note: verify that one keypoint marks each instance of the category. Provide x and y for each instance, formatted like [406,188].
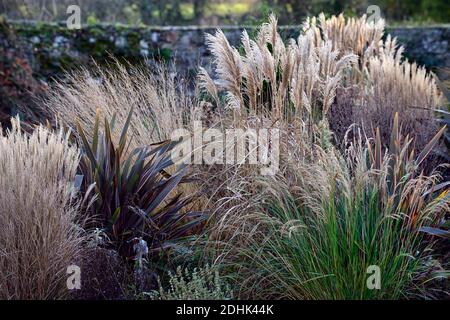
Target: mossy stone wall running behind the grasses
[53,48]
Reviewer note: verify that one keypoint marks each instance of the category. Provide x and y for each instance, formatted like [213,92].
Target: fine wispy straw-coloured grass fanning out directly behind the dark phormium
[160,102]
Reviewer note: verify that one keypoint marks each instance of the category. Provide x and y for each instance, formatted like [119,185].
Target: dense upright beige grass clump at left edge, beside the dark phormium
[38,235]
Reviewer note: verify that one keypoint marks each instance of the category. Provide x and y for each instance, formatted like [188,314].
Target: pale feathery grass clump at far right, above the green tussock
[399,87]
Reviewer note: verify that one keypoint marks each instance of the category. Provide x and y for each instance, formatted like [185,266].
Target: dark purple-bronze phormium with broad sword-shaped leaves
[130,193]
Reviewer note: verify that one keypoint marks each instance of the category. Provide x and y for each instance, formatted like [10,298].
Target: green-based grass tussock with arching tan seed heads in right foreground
[315,230]
